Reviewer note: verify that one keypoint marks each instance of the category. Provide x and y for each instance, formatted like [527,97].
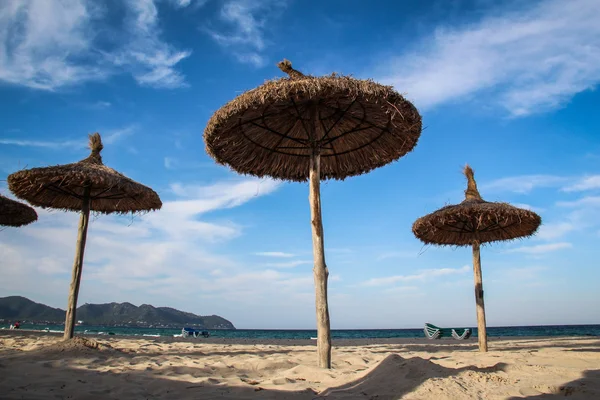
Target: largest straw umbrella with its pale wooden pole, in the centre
[303,128]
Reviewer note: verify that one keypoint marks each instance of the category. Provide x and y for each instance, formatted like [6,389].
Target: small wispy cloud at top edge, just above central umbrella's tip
[247,24]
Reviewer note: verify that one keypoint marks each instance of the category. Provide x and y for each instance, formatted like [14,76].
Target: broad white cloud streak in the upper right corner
[527,60]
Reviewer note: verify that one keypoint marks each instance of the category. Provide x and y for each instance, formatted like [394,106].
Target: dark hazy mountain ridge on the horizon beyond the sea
[21,308]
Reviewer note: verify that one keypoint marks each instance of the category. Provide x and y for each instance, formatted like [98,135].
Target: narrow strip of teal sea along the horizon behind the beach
[300,334]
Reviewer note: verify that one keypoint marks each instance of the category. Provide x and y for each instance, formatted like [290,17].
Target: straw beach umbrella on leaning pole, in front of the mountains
[82,186]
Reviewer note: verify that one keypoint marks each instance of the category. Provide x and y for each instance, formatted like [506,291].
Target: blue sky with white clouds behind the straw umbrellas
[508,87]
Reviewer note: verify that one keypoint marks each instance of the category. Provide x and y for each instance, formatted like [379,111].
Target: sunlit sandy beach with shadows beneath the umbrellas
[41,366]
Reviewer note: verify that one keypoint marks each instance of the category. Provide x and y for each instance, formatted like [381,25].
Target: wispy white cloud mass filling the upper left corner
[54,43]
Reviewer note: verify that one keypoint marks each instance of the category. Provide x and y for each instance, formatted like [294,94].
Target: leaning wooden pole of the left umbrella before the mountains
[77,264]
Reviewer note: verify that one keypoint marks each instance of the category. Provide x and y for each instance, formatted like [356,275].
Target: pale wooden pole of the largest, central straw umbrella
[320,271]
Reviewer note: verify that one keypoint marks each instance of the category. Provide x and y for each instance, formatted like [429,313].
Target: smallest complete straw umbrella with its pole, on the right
[472,223]
